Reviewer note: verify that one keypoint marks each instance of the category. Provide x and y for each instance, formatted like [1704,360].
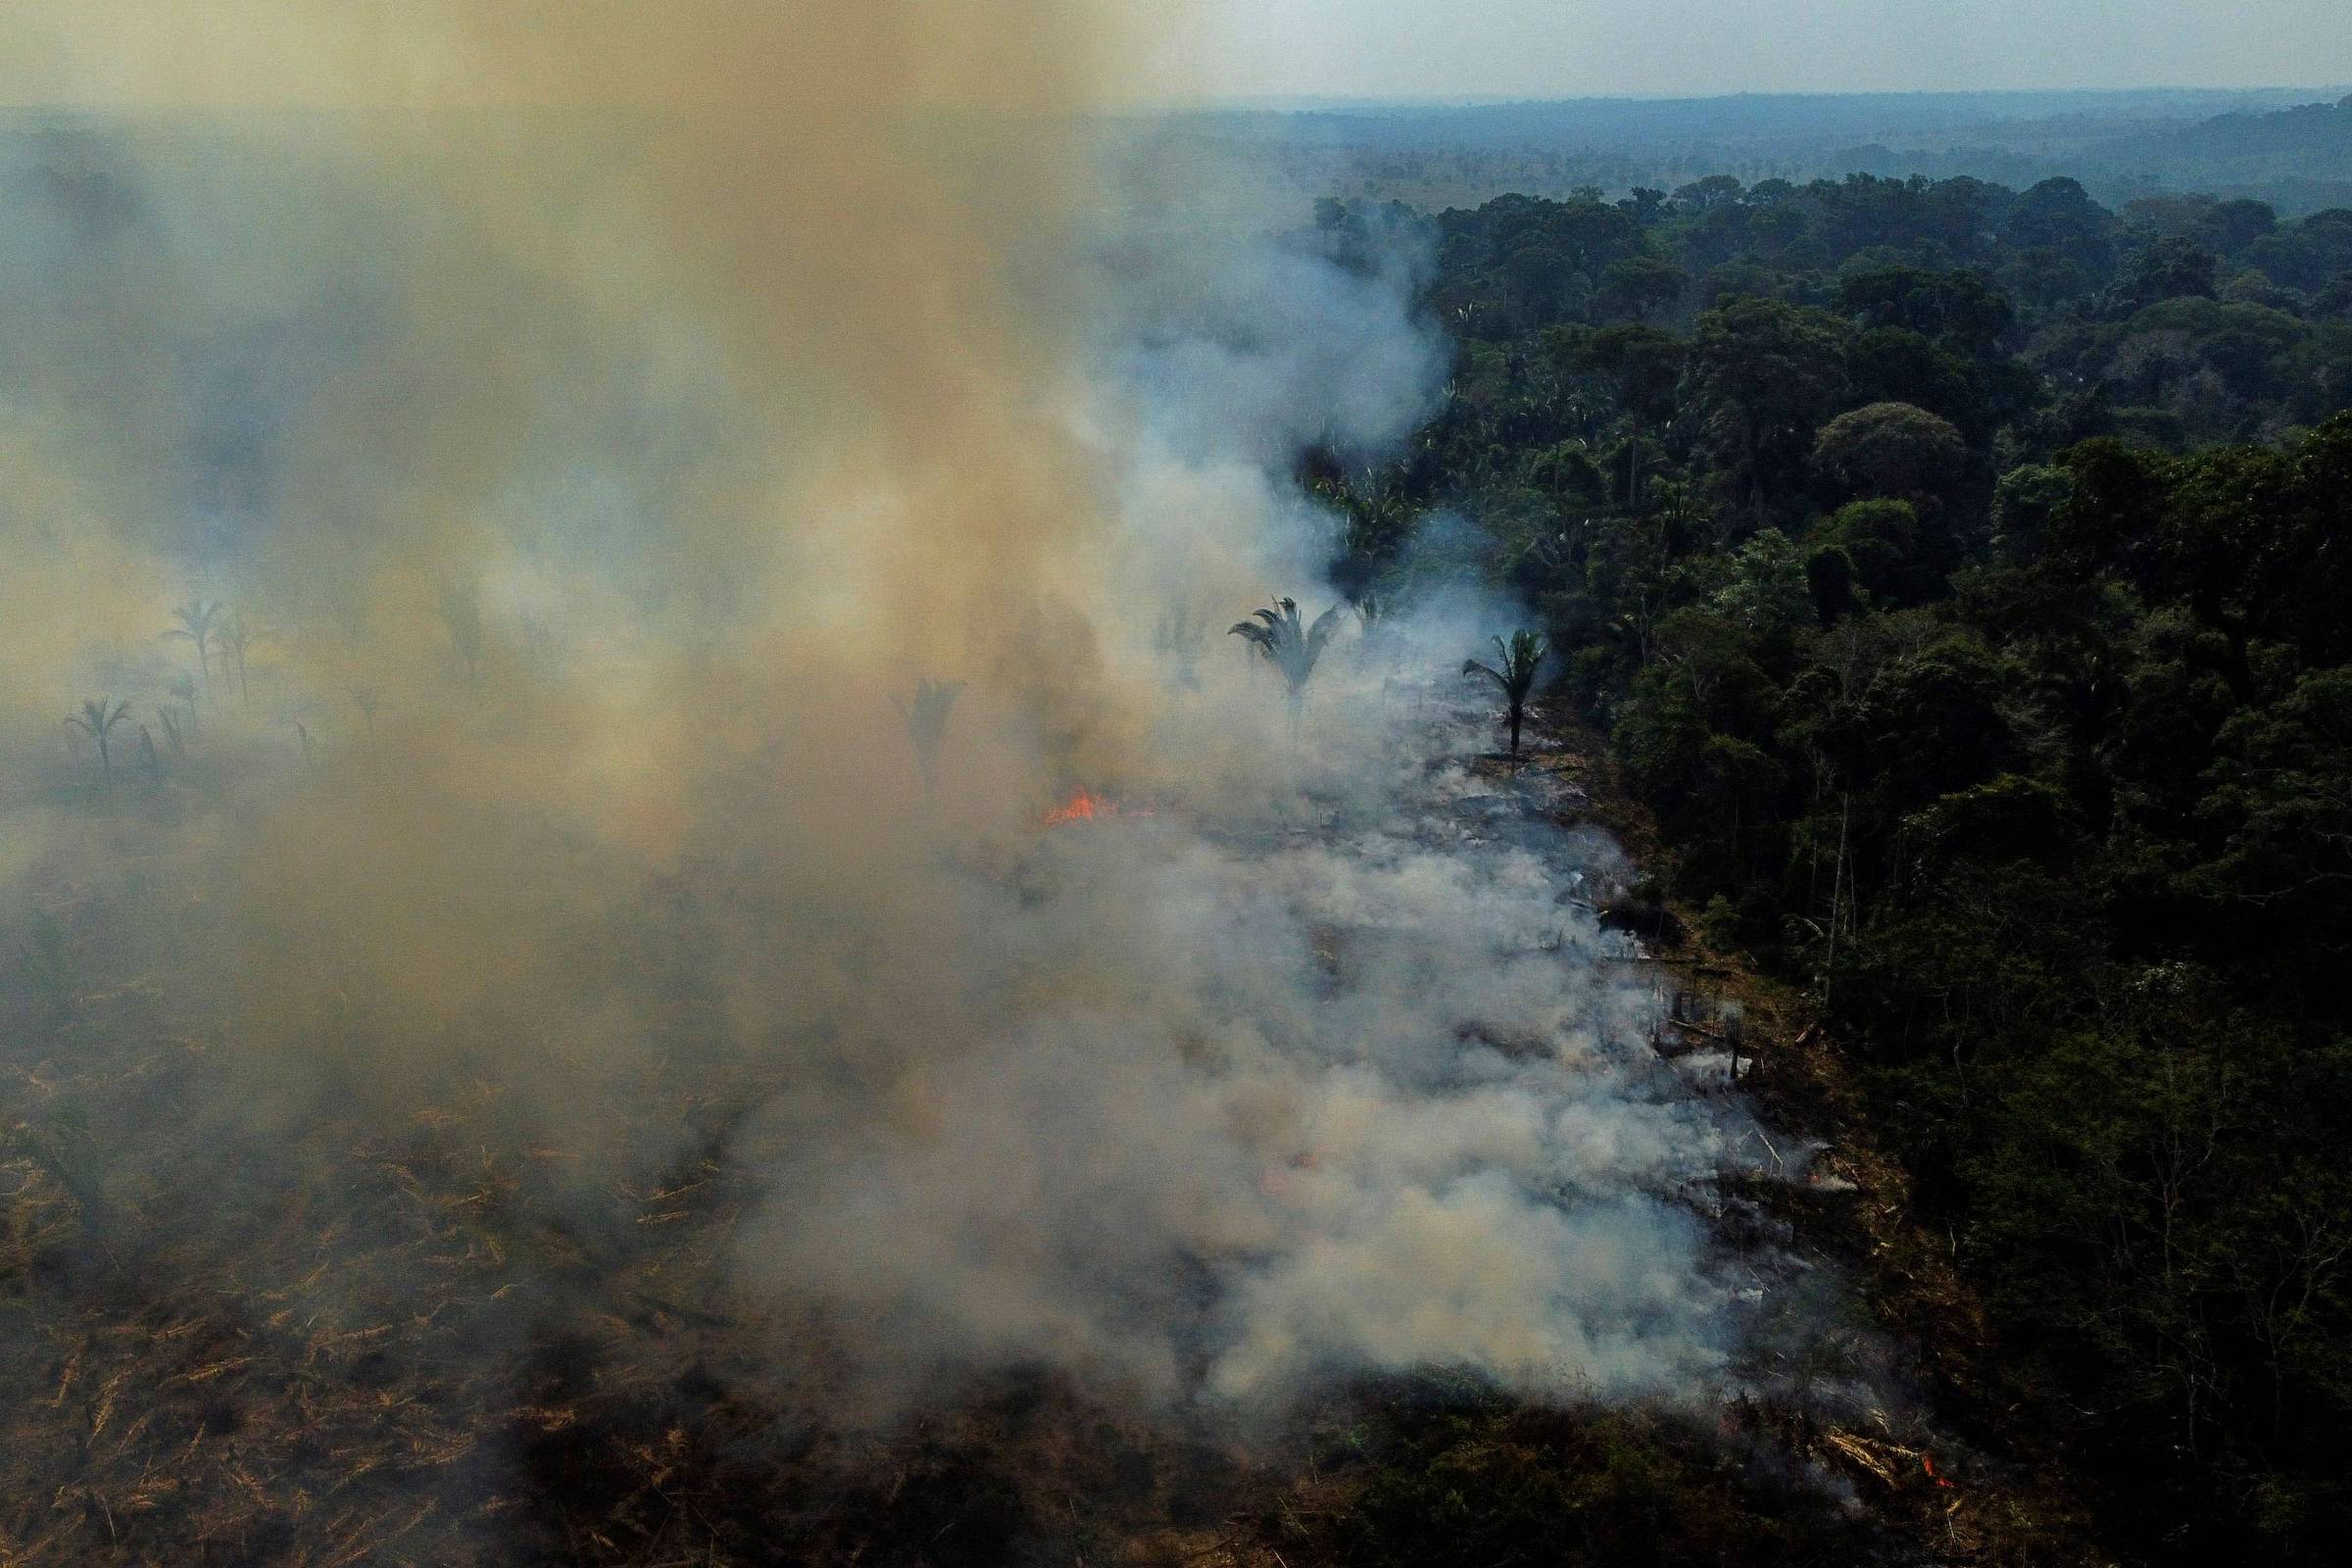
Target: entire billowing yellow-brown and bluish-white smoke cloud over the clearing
[601,415]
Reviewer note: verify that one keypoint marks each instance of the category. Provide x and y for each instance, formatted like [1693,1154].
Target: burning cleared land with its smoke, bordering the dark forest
[537,1066]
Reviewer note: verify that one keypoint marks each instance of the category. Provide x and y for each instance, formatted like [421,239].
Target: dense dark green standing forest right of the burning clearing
[1960,577]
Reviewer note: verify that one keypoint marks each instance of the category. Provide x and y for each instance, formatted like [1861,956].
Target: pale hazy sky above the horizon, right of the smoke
[1664,48]
